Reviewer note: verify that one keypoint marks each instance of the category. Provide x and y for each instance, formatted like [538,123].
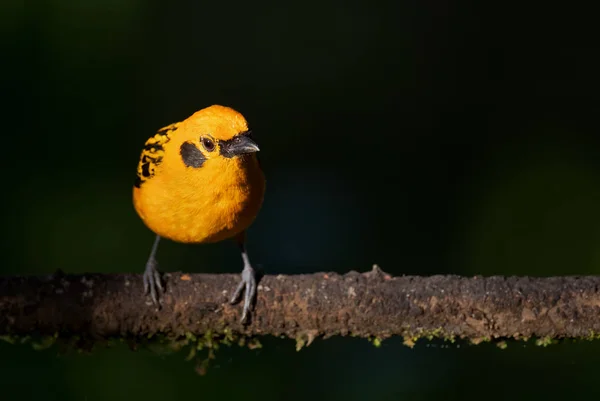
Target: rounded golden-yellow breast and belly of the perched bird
[214,203]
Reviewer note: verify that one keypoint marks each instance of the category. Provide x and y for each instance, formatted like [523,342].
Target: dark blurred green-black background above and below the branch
[430,137]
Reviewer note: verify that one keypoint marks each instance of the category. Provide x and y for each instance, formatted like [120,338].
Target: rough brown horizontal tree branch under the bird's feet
[303,307]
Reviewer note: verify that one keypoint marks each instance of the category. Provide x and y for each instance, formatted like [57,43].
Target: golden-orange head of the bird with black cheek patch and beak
[216,132]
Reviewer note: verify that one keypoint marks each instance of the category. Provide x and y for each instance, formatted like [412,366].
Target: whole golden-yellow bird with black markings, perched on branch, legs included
[199,181]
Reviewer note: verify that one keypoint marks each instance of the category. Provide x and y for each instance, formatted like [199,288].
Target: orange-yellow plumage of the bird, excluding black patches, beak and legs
[205,204]
